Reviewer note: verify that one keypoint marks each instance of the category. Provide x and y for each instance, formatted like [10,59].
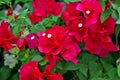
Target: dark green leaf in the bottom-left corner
[4,73]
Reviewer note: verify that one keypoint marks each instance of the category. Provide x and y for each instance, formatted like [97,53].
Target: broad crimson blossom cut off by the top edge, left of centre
[52,7]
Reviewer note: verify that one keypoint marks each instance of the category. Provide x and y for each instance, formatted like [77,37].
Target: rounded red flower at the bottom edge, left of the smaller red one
[30,71]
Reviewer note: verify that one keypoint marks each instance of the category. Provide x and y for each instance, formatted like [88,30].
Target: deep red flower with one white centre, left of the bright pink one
[75,23]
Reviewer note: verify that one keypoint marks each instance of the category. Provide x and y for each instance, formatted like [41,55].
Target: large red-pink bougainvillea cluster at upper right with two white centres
[83,23]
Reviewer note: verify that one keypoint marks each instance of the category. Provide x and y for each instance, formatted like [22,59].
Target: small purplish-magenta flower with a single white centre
[31,40]
